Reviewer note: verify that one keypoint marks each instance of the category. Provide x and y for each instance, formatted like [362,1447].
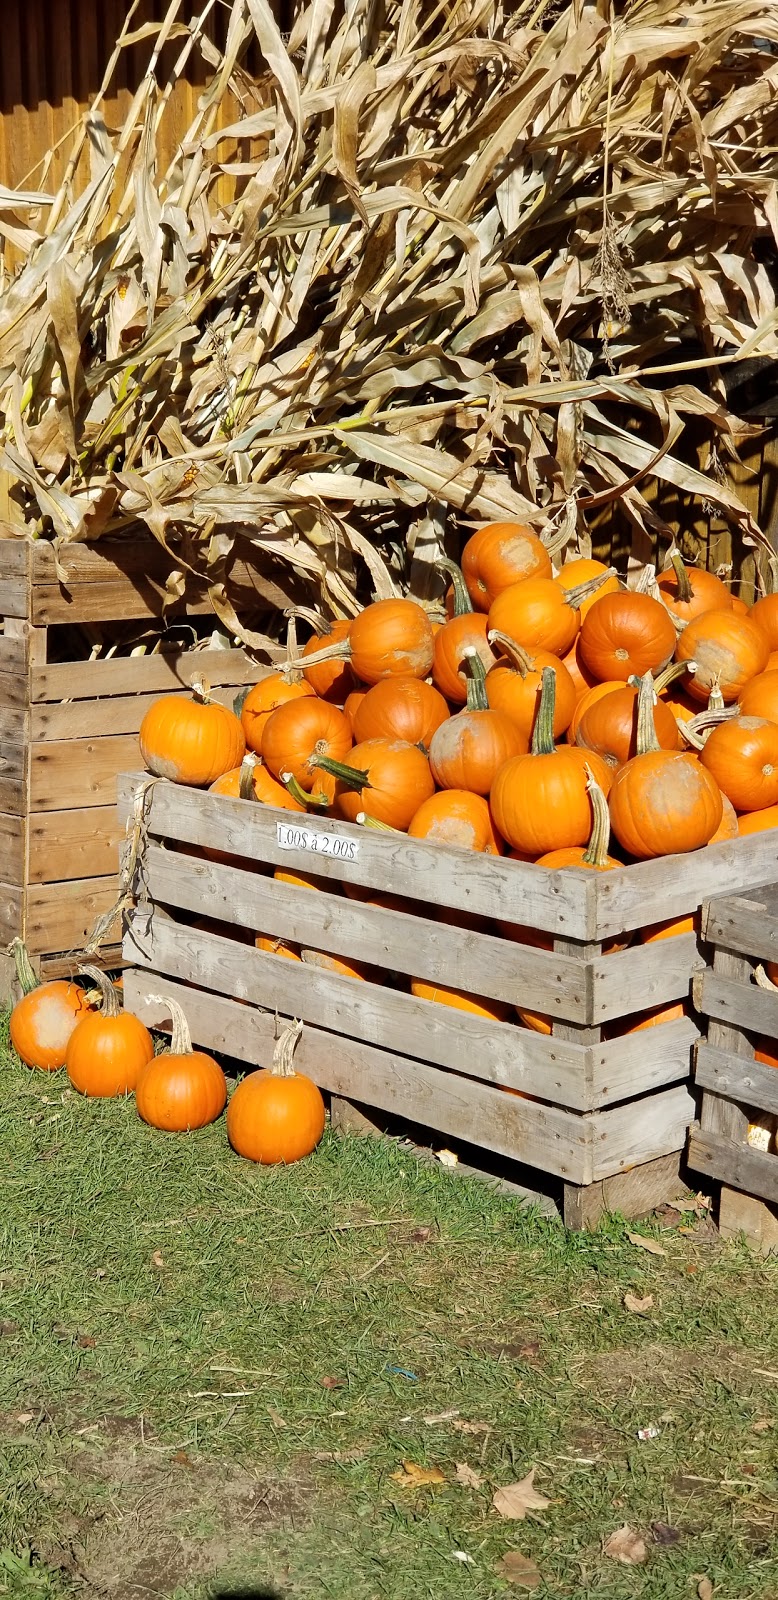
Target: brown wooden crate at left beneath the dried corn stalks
[70,727]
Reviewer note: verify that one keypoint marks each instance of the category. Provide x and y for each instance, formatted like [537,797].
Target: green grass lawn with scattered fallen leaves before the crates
[212,1374]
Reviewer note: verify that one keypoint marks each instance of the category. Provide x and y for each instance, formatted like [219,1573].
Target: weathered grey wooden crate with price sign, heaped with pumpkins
[600,1106]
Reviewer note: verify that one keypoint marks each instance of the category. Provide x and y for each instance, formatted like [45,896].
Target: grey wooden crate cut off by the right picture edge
[739,1089]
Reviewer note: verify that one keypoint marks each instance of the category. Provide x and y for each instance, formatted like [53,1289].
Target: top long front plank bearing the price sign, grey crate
[556,902]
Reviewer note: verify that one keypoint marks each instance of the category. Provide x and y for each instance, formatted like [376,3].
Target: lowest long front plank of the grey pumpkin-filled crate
[460,1108]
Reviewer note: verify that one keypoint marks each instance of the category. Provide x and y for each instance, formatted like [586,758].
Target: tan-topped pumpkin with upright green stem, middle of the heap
[468,751]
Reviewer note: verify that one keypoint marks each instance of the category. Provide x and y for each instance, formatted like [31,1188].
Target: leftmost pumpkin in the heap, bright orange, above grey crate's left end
[191,742]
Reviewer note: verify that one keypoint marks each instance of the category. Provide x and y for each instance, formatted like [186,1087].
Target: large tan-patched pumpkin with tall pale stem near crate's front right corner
[662,802]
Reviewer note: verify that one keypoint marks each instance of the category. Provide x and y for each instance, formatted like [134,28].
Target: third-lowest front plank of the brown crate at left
[79,772]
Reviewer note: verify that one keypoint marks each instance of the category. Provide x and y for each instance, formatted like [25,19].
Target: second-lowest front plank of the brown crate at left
[76,844]
